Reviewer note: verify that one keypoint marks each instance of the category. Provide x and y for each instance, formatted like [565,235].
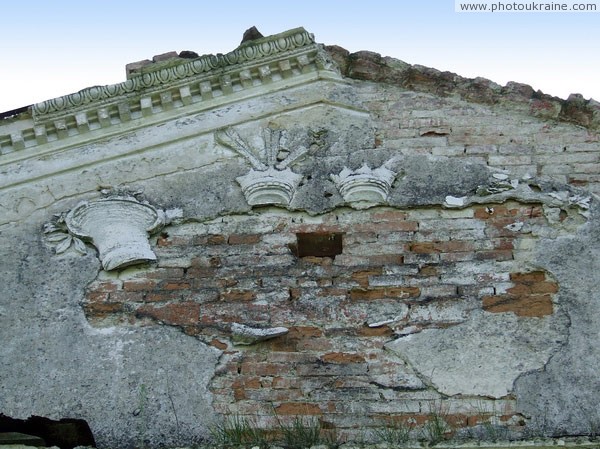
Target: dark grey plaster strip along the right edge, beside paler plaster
[563,395]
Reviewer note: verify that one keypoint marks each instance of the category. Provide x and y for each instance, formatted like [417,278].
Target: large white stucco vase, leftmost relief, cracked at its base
[118,227]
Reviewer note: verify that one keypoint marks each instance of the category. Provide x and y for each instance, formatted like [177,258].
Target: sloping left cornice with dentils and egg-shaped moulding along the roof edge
[267,62]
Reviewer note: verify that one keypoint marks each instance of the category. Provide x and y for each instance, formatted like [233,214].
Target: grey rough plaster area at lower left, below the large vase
[132,385]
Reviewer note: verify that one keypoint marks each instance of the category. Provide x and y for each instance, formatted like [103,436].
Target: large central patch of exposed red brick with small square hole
[399,272]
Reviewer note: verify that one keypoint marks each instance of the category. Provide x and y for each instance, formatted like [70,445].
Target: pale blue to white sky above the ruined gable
[53,48]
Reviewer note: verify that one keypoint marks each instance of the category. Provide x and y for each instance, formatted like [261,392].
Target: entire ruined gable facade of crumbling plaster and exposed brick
[288,230]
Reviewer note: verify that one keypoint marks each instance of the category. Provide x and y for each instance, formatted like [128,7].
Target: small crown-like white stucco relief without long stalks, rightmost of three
[364,187]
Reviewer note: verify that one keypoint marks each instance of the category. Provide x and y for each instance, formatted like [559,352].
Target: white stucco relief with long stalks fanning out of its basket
[271,181]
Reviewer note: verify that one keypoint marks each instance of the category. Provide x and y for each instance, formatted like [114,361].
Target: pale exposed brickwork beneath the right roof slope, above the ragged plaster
[524,146]
